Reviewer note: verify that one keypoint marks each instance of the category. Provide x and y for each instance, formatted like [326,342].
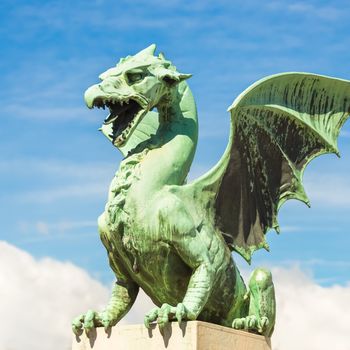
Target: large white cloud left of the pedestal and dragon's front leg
[38,299]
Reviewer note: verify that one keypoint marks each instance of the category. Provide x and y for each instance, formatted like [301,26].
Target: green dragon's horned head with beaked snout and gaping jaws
[130,90]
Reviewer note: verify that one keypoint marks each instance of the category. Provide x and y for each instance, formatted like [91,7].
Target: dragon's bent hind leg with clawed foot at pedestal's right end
[262,304]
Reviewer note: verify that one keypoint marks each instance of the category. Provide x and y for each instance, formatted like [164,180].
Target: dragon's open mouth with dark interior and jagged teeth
[124,115]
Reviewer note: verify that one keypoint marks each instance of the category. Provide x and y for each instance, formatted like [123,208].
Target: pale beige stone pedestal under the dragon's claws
[193,335]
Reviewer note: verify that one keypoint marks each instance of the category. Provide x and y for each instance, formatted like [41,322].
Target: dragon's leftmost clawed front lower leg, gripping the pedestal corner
[122,298]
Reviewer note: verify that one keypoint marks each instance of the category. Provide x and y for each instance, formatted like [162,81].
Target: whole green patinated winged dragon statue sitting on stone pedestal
[175,239]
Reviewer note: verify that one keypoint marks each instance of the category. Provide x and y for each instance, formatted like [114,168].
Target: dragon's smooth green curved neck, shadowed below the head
[172,149]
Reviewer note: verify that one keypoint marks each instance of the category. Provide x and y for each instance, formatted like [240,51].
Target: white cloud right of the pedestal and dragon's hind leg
[310,316]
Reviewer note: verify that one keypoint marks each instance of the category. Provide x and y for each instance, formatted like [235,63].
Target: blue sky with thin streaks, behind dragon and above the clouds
[55,167]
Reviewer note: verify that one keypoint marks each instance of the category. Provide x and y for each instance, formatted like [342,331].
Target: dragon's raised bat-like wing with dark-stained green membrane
[278,125]
